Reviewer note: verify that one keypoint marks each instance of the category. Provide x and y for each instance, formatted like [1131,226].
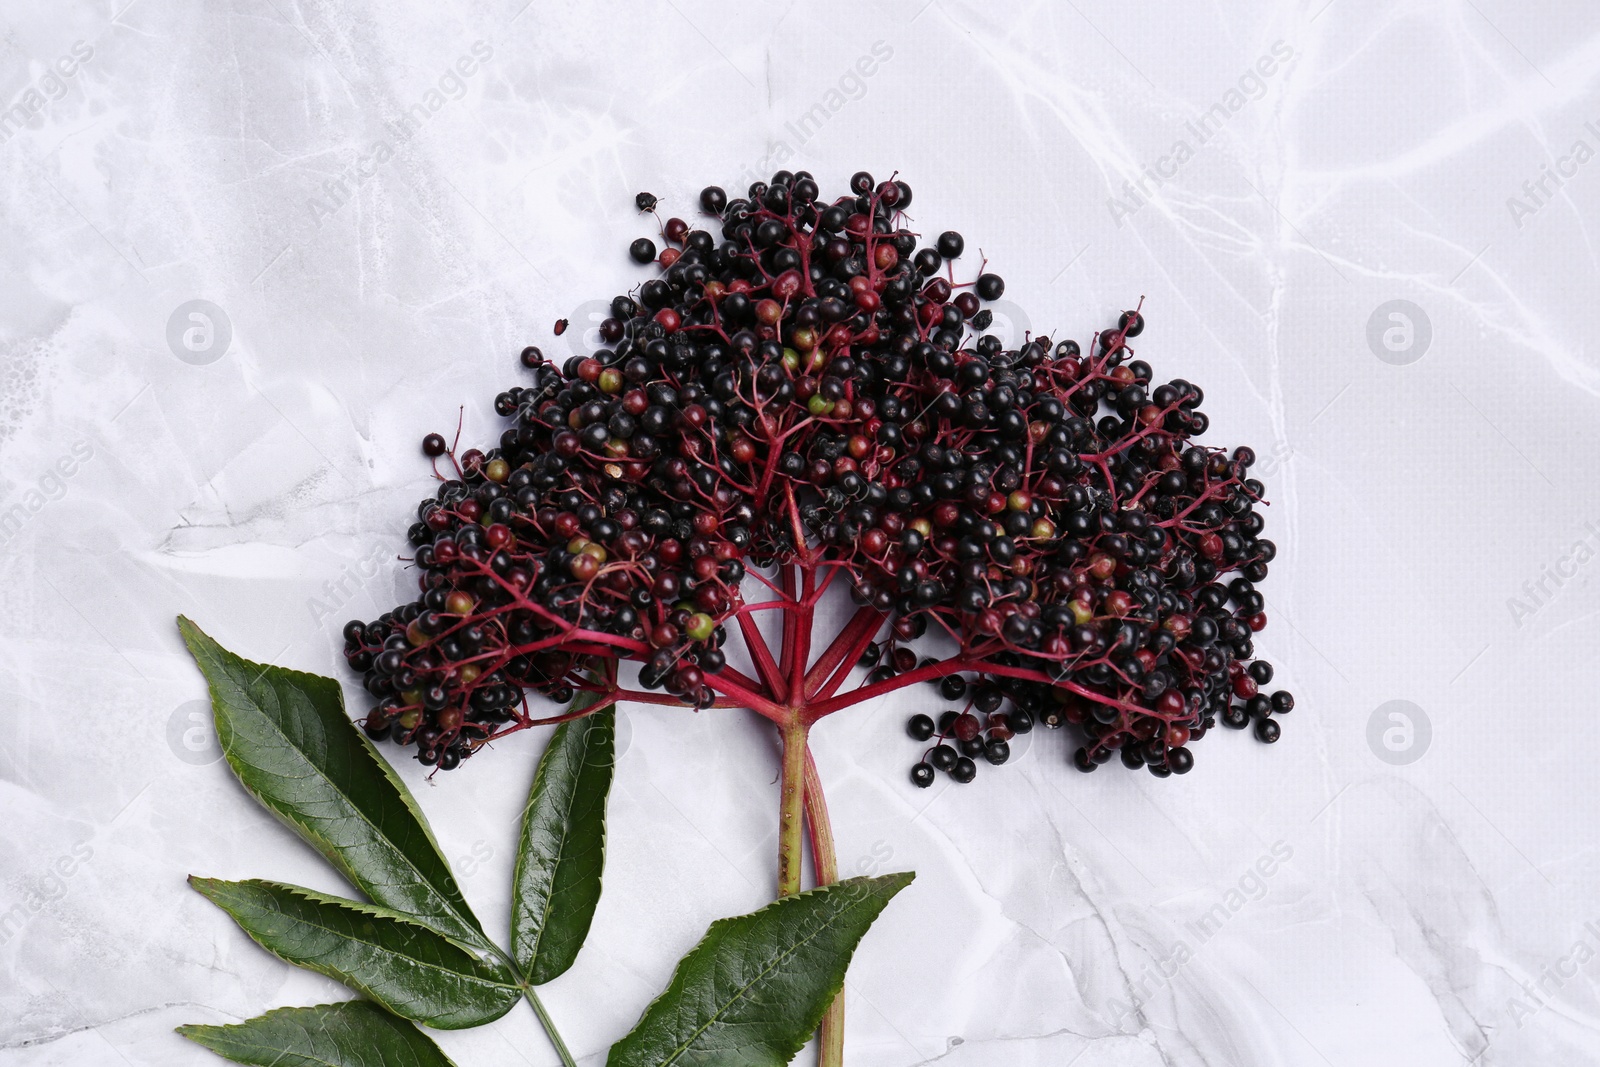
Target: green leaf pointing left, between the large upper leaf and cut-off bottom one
[406,967]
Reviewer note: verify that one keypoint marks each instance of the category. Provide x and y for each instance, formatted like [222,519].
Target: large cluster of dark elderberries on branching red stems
[801,399]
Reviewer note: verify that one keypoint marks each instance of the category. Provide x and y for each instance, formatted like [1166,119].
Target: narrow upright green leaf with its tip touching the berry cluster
[558,882]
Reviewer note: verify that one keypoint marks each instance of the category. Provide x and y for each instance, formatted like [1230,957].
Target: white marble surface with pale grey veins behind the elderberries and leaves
[1442,911]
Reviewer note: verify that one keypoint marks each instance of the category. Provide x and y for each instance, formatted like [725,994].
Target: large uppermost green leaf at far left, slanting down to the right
[290,743]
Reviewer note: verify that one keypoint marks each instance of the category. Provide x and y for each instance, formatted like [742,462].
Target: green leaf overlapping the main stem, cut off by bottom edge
[754,989]
